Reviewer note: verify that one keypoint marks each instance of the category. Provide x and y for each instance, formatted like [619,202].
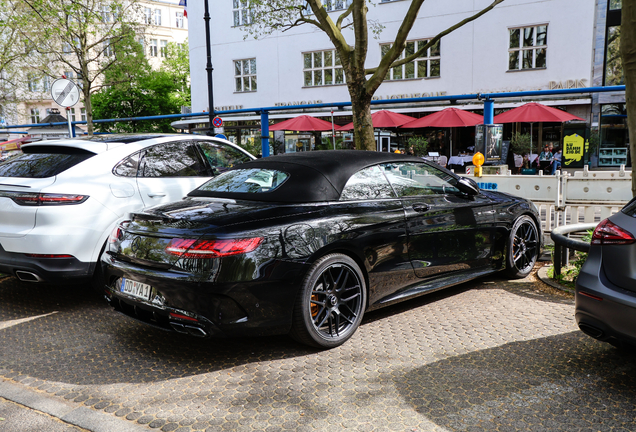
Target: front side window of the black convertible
[413,179]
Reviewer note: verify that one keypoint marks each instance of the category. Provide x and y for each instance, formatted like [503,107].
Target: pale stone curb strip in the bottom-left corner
[74,414]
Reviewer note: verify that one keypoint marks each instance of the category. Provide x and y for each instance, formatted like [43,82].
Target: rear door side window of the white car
[174,159]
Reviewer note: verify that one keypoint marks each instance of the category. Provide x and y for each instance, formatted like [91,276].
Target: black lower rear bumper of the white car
[51,270]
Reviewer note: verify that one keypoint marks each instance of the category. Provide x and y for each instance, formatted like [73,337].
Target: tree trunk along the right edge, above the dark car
[628,54]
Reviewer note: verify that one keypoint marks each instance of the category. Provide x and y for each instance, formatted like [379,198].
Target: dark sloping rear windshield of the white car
[41,165]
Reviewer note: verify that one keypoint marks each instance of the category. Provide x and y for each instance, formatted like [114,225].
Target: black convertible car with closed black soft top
[305,243]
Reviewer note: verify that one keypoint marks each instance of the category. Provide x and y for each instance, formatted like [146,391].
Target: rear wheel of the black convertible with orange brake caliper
[330,304]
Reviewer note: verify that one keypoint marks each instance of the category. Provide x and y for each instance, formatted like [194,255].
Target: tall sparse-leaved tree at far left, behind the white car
[77,35]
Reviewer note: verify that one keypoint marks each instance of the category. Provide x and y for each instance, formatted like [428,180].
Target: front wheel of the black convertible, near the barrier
[522,248]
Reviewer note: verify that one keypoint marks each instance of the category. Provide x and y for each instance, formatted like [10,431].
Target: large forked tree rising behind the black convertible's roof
[268,16]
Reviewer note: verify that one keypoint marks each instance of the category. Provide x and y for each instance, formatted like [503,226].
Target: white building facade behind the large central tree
[519,45]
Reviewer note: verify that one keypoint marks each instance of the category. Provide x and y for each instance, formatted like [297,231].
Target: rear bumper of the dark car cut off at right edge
[603,310]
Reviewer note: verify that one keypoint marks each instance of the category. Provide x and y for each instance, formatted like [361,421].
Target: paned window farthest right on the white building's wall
[528,46]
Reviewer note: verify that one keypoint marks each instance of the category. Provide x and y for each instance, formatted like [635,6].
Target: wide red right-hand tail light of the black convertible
[190,248]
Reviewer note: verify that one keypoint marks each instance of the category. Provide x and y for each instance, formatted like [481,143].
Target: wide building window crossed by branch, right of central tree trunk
[425,66]
